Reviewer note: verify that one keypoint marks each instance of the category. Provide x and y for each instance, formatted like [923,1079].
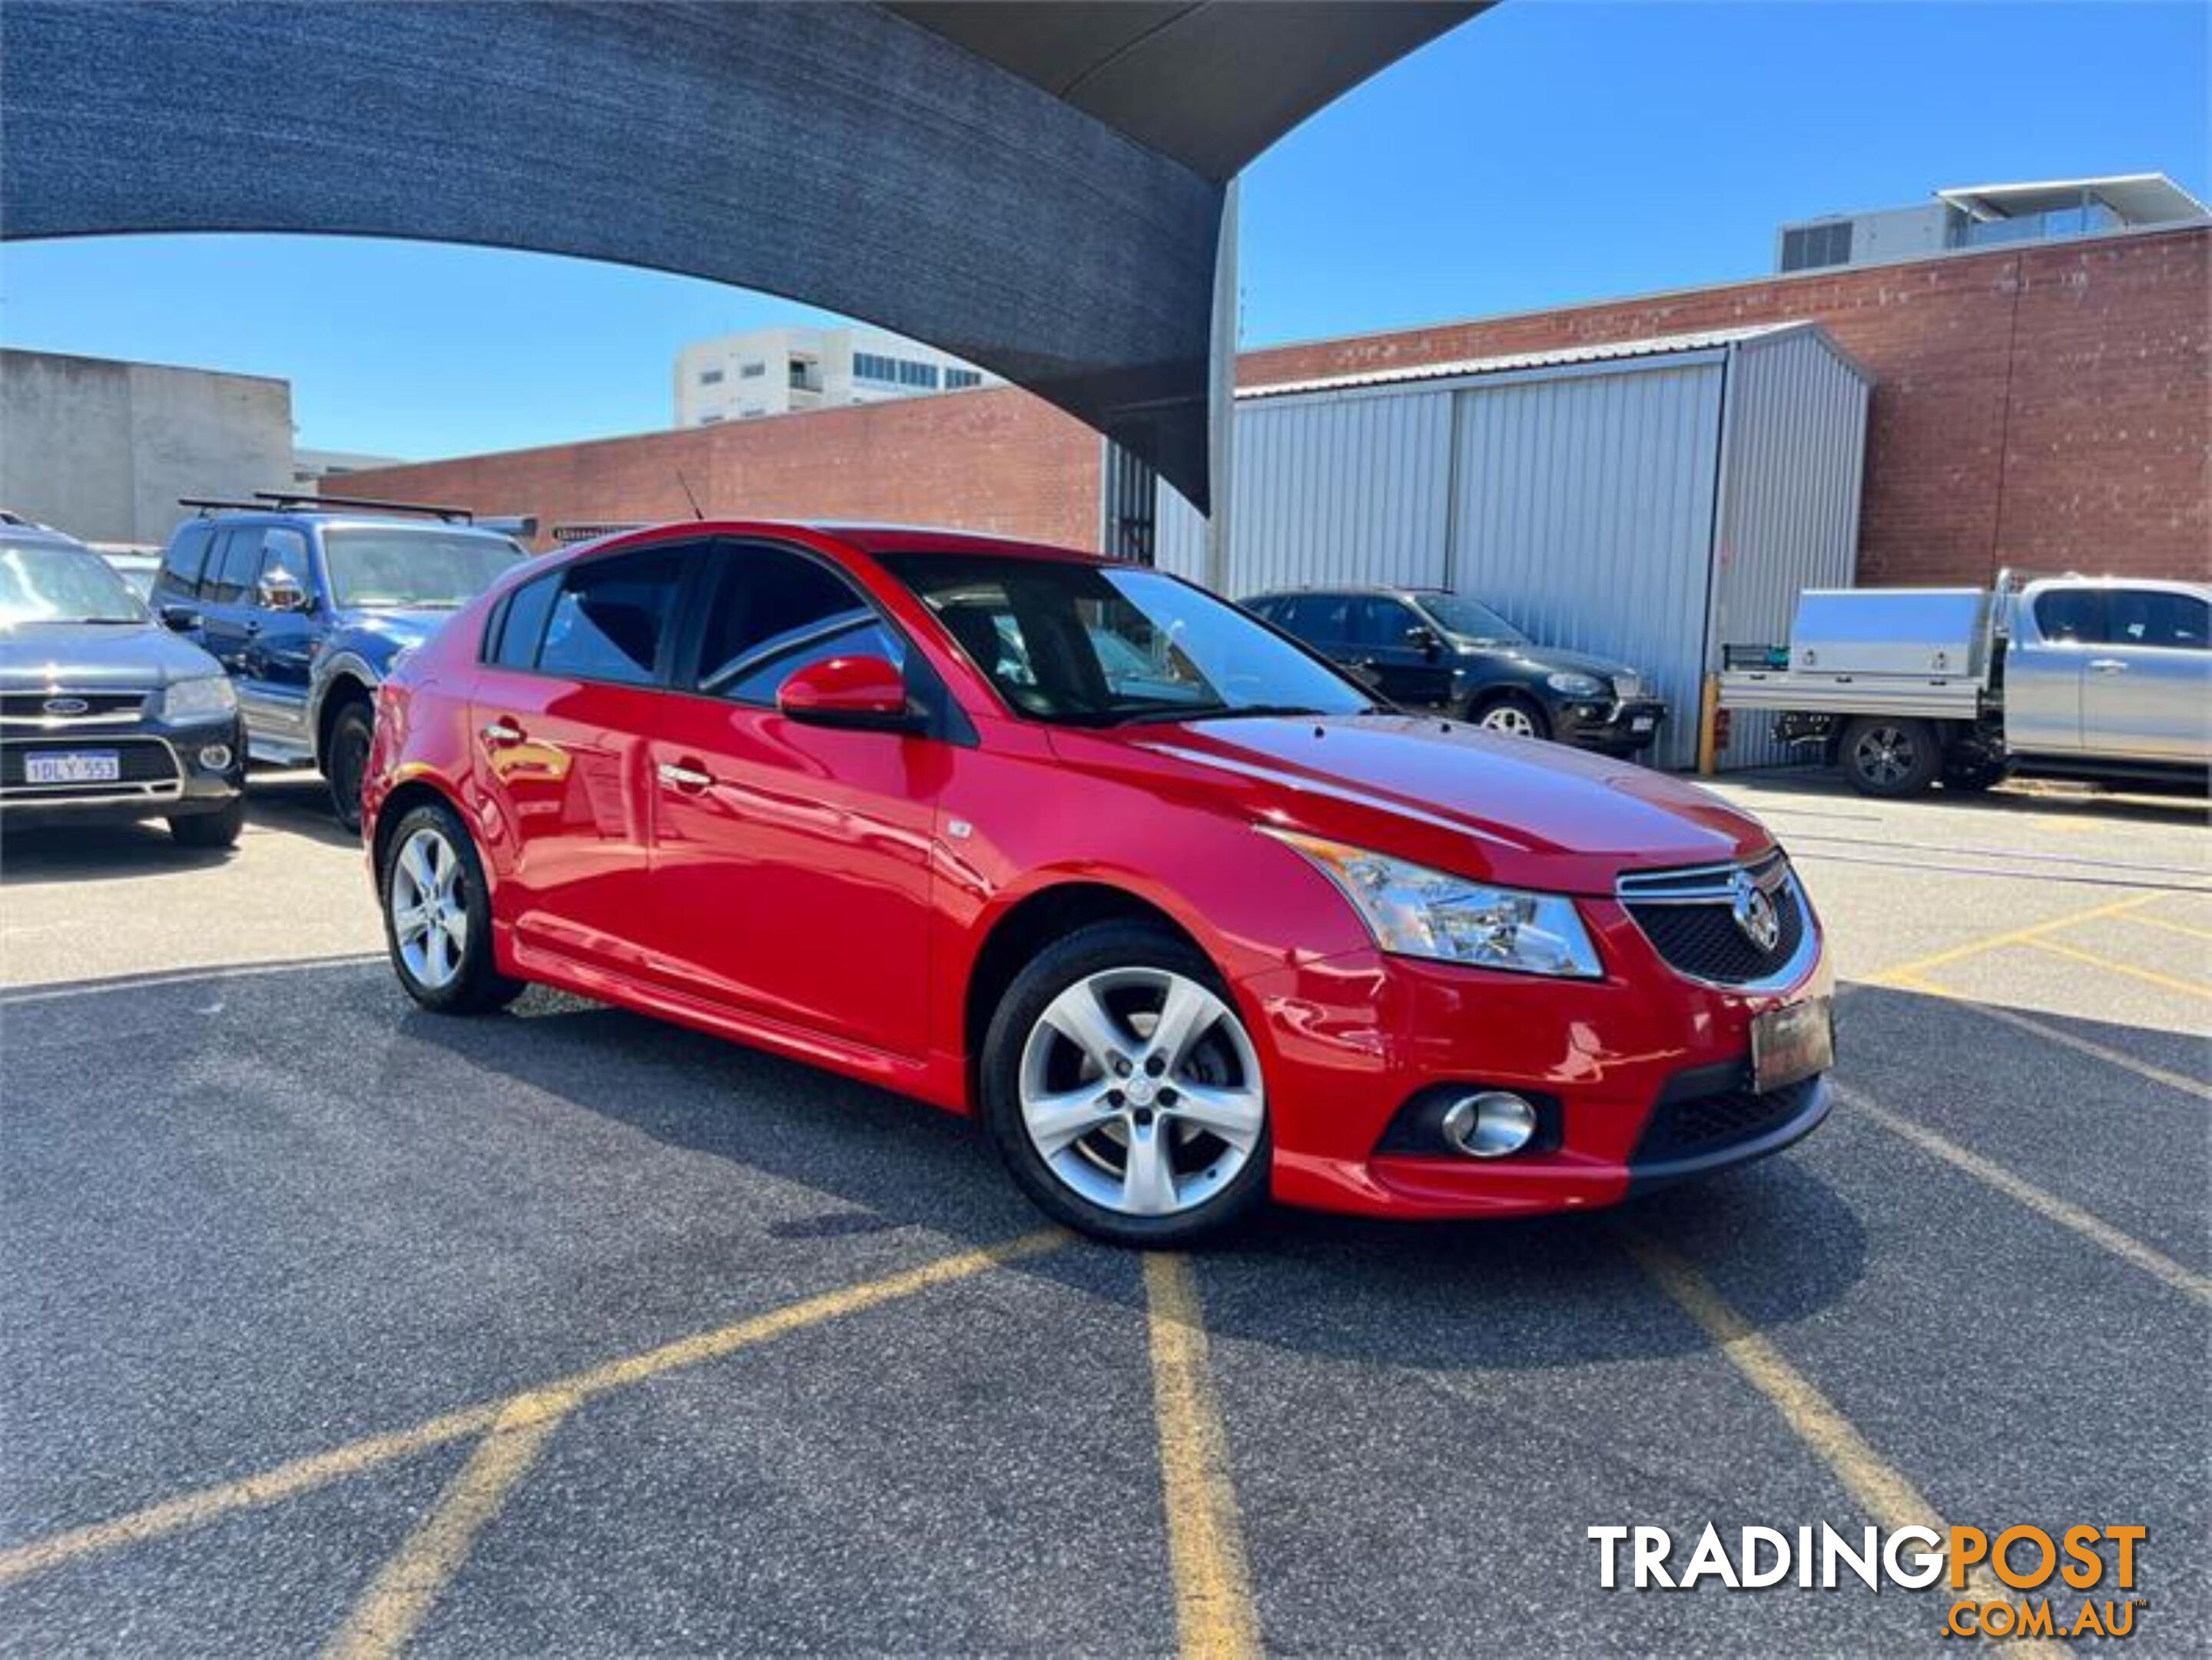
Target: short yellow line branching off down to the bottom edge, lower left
[406,1590]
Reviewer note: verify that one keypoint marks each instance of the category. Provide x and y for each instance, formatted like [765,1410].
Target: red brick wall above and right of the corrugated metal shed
[2045,408]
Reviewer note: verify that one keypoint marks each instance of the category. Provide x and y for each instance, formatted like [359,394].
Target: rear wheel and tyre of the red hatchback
[439,915]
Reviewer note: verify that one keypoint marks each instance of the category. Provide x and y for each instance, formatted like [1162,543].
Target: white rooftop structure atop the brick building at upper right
[1985,216]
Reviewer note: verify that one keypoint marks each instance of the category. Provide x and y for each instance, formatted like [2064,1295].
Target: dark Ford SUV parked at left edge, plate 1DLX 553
[103,712]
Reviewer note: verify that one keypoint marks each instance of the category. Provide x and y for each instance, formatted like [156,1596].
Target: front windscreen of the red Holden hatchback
[1092,645]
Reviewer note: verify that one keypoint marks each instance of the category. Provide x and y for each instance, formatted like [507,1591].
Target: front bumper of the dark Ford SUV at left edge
[163,774]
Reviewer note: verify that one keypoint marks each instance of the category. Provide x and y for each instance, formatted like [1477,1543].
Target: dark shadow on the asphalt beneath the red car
[1530,1294]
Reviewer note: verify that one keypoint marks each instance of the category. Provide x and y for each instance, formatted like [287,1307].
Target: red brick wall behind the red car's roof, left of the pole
[985,461]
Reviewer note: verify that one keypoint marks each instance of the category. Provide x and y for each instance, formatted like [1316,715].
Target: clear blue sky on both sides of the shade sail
[1550,152]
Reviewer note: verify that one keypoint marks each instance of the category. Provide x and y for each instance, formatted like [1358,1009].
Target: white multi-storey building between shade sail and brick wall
[780,371]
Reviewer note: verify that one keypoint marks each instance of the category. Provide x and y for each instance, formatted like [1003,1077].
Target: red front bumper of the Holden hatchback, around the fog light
[1640,1079]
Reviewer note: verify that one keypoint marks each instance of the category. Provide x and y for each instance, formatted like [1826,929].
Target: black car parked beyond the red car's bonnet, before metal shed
[1430,650]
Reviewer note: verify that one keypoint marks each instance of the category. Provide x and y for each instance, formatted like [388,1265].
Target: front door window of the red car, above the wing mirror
[778,612]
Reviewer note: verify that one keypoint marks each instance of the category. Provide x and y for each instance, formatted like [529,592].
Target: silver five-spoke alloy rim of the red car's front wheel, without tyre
[1142,1092]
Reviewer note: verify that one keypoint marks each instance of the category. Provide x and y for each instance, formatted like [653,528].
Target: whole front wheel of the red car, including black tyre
[1125,1092]
